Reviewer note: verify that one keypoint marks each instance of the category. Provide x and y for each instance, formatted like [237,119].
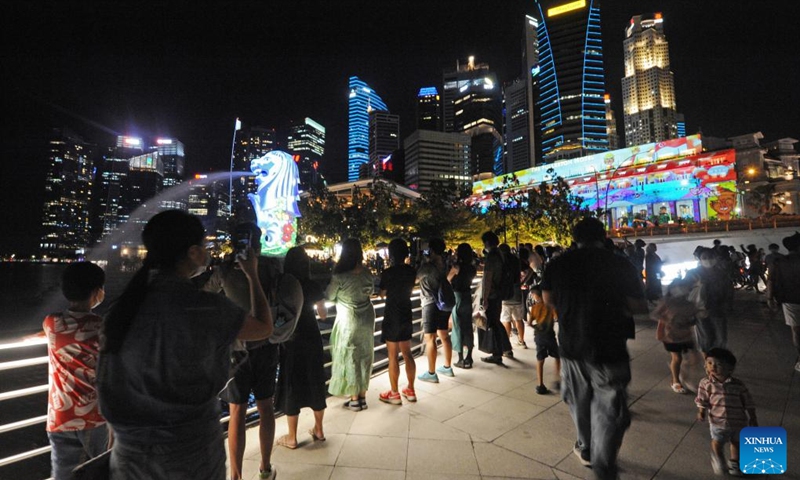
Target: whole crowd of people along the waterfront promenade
[148,377]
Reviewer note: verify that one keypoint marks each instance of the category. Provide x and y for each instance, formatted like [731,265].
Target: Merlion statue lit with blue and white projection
[275,201]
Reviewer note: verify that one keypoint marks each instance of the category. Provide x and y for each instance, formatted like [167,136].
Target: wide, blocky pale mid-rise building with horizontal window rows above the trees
[436,156]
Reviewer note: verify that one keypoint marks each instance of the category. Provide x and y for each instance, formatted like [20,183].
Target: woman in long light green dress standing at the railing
[352,338]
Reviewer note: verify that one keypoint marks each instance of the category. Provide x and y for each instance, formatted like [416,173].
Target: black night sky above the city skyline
[188,71]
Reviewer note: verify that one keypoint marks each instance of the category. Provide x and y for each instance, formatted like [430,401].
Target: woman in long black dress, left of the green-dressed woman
[301,382]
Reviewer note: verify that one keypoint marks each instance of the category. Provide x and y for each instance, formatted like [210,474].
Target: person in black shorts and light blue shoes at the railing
[434,321]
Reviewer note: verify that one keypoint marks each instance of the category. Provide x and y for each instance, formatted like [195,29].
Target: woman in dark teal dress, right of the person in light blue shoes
[461,276]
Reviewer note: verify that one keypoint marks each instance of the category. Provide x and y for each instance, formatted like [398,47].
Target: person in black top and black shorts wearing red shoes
[396,285]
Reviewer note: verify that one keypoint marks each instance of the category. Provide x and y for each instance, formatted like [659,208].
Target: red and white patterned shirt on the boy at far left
[72,345]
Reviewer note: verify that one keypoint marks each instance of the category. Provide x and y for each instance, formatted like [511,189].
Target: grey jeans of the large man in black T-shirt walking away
[597,397]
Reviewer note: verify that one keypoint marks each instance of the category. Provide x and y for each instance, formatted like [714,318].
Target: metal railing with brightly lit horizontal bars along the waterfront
[15,364]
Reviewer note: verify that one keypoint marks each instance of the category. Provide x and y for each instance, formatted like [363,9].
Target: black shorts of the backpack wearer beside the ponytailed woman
[257,373]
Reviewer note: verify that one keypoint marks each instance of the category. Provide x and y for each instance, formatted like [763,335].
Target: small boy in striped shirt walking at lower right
[728,405]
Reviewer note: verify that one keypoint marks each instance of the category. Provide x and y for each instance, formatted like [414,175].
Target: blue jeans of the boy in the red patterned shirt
[70,449]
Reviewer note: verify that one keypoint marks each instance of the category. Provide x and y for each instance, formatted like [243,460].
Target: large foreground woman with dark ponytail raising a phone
[164,357]
